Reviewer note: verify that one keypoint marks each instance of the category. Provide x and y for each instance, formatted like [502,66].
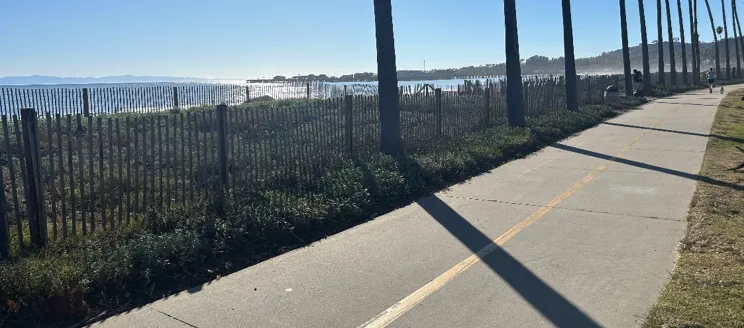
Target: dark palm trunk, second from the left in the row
[514,102]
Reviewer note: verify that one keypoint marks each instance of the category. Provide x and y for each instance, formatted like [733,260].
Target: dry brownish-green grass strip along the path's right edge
[707,287]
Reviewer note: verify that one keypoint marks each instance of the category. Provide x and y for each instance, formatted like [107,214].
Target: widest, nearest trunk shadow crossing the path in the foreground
[551,304]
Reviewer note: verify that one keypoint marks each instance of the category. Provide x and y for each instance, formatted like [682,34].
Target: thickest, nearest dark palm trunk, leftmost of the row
[390,138]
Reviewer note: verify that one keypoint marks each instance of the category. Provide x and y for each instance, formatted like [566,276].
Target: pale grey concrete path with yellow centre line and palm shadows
[581,234]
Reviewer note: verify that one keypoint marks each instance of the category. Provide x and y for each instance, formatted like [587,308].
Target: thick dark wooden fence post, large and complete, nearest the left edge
[35,194]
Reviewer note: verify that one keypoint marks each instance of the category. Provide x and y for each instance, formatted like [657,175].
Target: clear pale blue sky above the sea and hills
[254,38]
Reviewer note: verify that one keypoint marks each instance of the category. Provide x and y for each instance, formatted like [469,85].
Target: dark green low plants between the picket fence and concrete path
[164,253]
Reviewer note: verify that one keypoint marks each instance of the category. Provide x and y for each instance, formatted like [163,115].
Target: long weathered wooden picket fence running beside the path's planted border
[74,174]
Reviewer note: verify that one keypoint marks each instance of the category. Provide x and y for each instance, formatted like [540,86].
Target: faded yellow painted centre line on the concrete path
[394,312]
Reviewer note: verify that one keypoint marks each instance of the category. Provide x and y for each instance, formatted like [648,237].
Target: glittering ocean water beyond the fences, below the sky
[151,97]
